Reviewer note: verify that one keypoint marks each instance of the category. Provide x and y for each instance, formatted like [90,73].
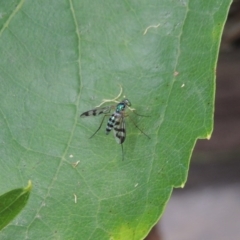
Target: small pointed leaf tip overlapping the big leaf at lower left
[12,202]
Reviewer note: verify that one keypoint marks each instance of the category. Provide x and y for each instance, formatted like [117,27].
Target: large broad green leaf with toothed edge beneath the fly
[61,58]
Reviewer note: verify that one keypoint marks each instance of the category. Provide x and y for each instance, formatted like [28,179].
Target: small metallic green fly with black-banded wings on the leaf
[116,120]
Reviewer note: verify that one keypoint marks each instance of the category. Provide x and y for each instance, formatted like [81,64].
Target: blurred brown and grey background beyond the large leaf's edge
[208,208]
